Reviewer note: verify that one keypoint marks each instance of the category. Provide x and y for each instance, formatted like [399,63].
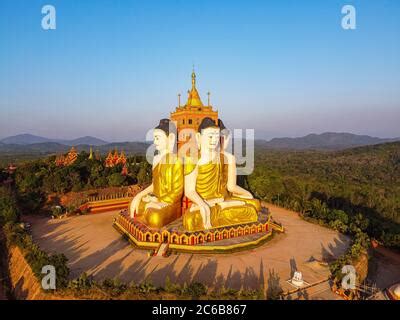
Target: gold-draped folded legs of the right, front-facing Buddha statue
[192,220]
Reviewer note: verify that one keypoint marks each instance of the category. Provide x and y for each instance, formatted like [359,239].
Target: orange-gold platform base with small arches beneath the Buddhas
[172,238]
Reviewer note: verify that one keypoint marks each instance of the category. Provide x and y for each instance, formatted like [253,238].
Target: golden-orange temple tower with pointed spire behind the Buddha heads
[190,115]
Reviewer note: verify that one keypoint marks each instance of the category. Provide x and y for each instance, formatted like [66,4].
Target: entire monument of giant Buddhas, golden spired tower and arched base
[180,186]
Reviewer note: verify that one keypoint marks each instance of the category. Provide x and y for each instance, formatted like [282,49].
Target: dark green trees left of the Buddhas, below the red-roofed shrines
[34,180]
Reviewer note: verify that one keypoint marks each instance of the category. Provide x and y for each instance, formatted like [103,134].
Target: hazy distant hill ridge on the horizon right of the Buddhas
[327,141]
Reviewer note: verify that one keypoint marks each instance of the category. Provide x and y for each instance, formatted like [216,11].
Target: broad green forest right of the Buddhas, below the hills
[353,190]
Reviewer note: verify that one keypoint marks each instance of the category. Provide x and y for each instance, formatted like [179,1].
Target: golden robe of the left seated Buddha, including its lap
[168,188]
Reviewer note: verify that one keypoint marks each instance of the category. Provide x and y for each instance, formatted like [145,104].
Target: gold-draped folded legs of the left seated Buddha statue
[158,218]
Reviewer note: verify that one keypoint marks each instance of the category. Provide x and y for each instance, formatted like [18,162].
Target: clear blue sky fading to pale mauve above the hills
[112,68]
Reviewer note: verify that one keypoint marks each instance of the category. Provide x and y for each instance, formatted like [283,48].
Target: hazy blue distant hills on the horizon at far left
[28,139]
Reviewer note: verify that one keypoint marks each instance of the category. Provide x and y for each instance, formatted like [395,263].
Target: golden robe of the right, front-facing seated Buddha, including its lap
[211,184]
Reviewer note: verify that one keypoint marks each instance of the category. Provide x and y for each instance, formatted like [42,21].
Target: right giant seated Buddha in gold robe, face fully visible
[206,185]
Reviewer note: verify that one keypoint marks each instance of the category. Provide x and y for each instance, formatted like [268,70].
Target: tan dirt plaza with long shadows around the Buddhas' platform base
[92,245]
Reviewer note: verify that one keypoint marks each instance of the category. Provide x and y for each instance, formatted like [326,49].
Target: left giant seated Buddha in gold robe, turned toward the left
[160,203]
